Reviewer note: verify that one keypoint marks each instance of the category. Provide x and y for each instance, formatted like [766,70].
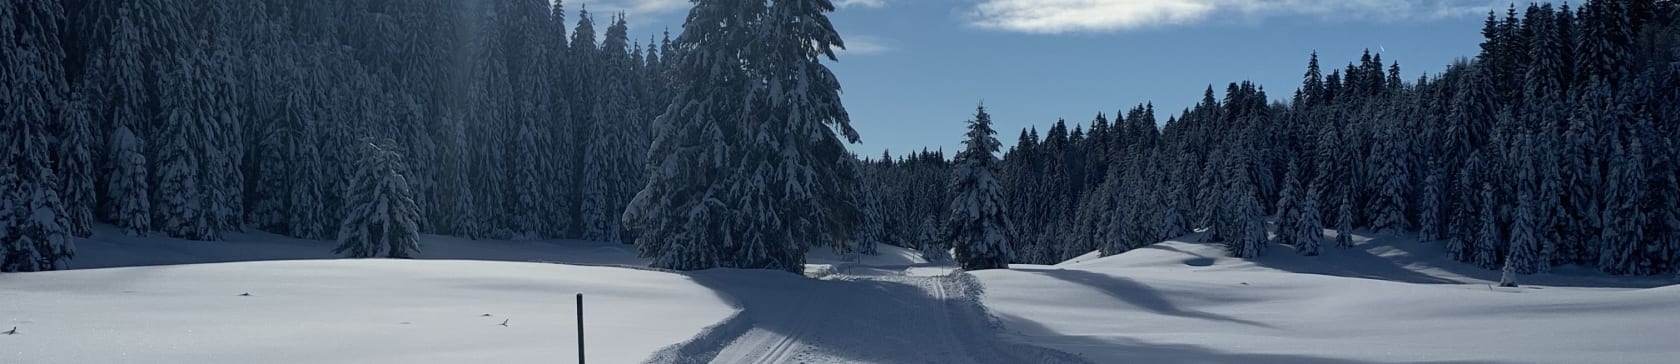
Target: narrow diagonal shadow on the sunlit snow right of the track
[1142,296]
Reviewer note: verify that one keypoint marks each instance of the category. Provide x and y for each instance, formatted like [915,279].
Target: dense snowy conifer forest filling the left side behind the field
[199,118]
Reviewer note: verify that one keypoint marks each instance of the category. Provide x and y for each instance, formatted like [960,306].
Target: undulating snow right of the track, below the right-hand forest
[1385,301]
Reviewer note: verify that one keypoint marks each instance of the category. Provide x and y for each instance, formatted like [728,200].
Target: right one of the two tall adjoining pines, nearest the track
[790,159]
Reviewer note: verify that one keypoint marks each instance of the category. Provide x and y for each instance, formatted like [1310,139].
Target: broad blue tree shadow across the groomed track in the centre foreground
[849,320]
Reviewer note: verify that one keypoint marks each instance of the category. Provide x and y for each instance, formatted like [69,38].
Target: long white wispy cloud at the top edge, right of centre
[1111,16]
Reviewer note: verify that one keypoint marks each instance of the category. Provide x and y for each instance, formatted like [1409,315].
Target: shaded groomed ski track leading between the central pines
[883,318]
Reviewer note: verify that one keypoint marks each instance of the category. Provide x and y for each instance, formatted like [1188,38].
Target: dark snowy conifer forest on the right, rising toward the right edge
[1557,145]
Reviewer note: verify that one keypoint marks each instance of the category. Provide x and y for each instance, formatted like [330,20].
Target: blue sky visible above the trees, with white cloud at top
[916,68]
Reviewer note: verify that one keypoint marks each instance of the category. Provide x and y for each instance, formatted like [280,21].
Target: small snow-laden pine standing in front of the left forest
[382,217]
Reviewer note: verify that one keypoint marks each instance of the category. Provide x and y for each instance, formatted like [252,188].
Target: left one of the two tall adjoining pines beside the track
[681,214]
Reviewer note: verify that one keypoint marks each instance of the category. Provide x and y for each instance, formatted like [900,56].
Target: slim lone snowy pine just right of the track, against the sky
[979,227]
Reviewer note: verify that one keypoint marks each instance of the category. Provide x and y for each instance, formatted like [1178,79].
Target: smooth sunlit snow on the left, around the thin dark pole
[349,311]
